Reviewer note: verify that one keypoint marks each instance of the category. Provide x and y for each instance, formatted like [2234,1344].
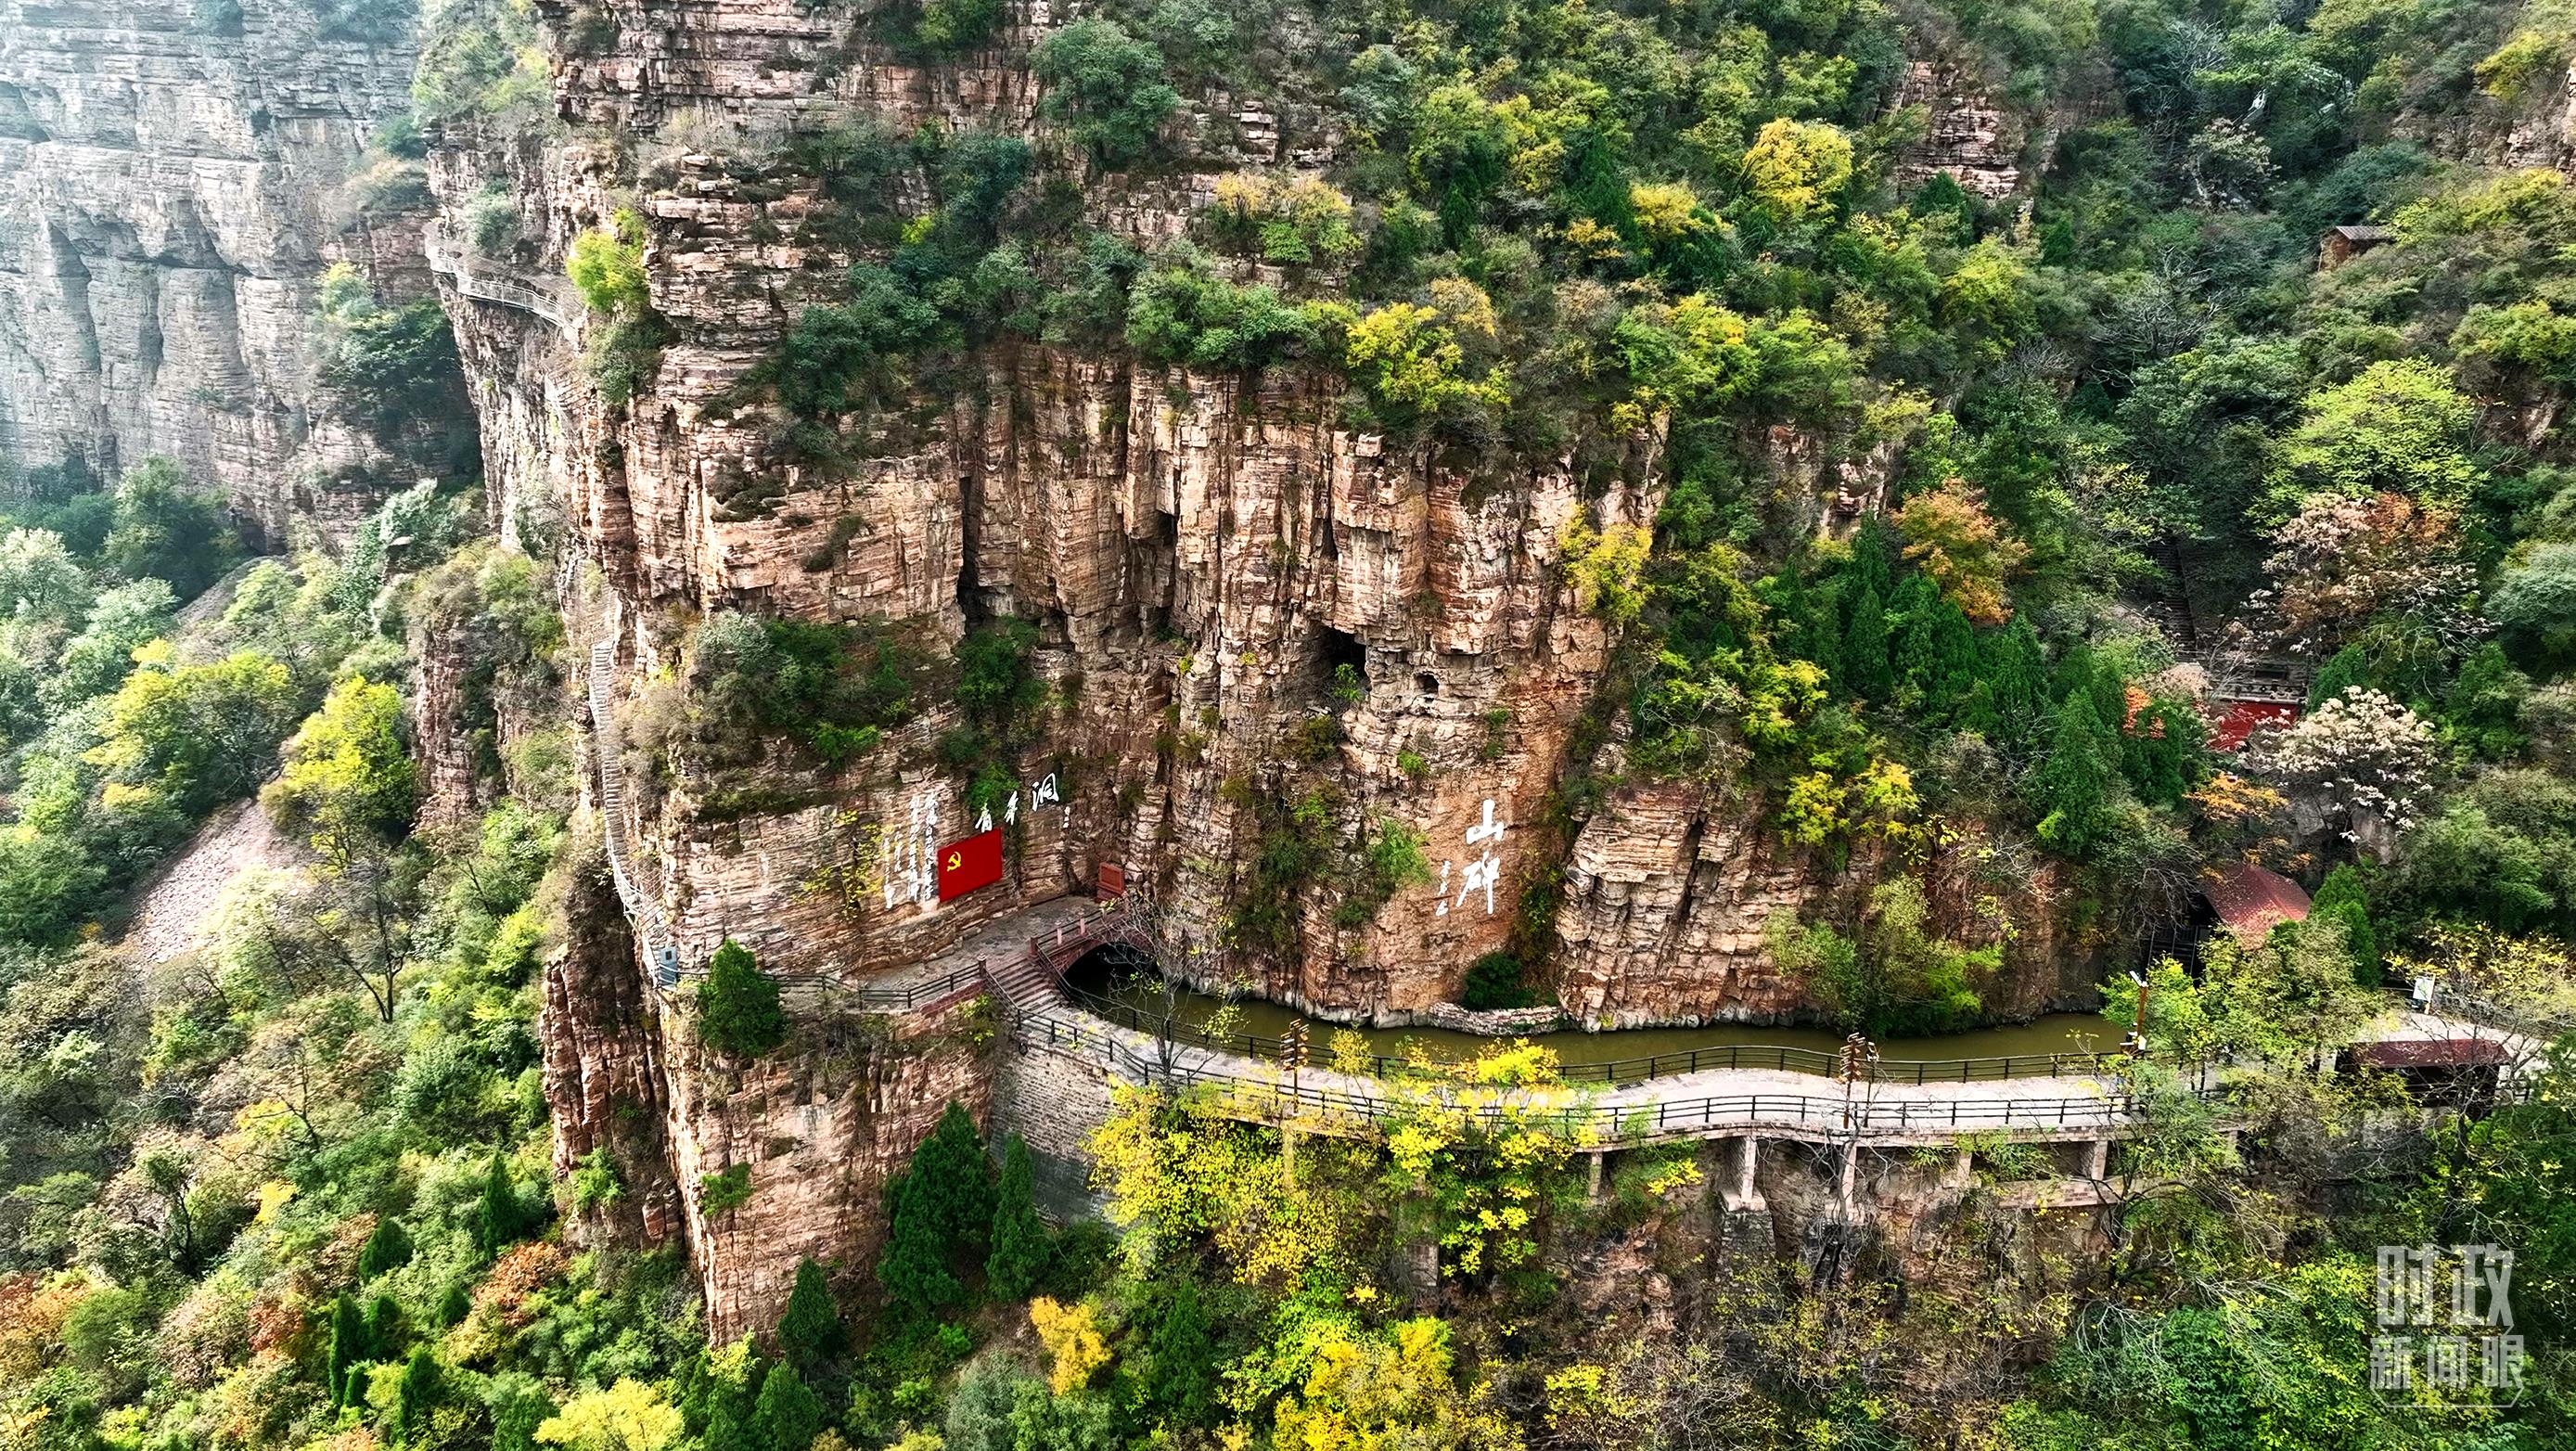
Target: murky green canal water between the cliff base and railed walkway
[2052,1035]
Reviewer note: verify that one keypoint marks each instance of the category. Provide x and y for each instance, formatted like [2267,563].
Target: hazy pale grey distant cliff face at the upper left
[171,189]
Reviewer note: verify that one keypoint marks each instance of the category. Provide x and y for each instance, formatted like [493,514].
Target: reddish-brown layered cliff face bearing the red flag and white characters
[1197,553]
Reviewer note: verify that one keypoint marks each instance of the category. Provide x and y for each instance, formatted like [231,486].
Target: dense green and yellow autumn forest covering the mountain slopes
[292,1182]
